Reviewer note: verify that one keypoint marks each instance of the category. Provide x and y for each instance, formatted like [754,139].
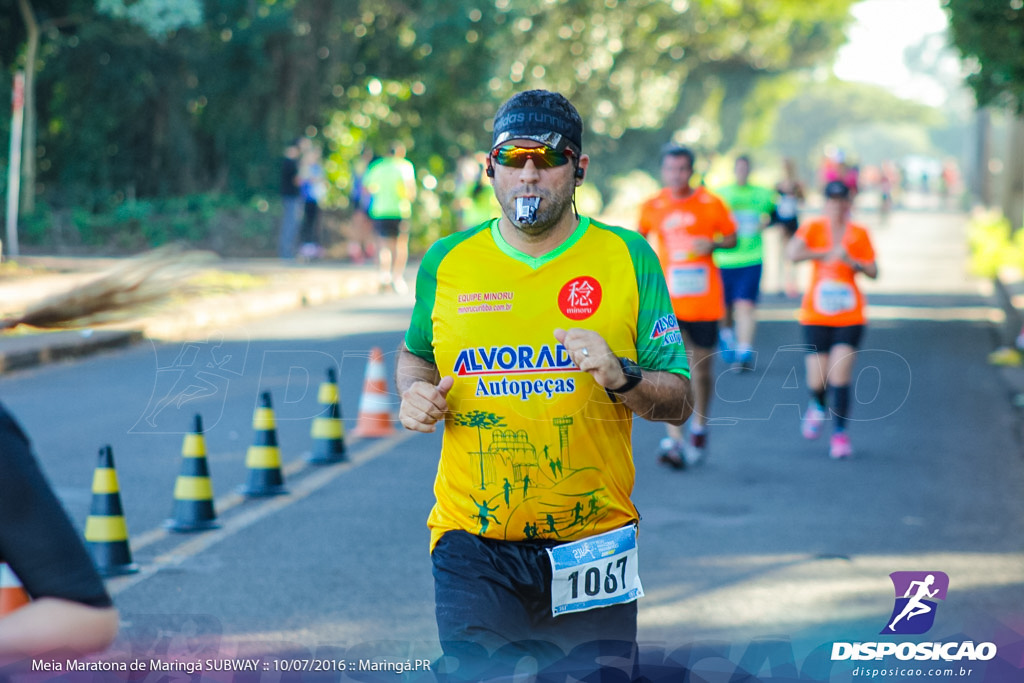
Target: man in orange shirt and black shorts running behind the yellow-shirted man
[685,226]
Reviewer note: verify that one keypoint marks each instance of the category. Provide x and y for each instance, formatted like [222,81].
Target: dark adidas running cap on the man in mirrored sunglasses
[541,116]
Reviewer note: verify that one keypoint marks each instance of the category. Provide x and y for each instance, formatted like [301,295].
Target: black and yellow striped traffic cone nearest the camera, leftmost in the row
[106,531]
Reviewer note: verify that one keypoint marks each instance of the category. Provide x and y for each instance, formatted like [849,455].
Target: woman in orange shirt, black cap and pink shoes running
[833,311]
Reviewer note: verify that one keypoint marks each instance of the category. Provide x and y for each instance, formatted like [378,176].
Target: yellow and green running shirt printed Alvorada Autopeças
[534,448]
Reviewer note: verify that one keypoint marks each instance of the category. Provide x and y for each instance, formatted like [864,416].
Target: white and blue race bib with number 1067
[593,573]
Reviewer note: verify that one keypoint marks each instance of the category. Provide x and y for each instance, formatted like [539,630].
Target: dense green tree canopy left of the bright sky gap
[174,98]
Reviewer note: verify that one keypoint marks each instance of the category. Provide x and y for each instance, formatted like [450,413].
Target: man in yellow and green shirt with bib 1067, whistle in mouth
[536,338]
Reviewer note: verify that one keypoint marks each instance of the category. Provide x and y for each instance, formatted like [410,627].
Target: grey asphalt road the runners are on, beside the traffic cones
[769,545]
